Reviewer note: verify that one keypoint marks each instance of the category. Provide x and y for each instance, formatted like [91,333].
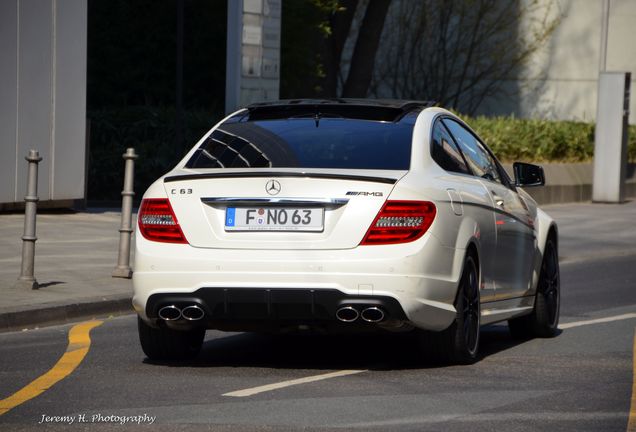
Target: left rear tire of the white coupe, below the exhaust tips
[164,344]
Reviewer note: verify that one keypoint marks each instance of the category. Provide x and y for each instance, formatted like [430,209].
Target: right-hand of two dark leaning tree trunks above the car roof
[366,47]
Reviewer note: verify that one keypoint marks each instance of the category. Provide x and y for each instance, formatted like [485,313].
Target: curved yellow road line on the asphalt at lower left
[79,342]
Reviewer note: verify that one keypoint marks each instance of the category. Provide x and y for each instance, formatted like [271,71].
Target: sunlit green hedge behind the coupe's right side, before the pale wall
[541,140]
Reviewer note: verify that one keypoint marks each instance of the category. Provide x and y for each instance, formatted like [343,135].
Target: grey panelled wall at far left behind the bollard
[43,96]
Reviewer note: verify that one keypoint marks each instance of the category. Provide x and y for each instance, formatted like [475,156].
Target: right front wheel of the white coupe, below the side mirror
[544,319]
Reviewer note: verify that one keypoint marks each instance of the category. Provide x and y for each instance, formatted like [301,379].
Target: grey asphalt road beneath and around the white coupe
[579,381]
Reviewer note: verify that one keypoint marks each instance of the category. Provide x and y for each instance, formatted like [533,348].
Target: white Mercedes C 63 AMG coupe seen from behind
[343,215]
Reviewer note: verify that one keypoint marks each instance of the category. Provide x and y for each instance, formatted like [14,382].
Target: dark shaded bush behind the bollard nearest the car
[151,132]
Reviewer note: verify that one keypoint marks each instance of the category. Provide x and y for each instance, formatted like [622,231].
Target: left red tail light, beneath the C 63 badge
[157,221]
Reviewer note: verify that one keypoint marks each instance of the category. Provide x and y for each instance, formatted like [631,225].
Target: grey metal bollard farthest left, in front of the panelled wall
[27,279]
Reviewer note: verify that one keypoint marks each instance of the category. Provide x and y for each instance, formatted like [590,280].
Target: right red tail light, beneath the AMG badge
[400,222]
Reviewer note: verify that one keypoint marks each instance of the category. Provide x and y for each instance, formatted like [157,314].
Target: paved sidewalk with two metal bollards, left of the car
[75,255]
